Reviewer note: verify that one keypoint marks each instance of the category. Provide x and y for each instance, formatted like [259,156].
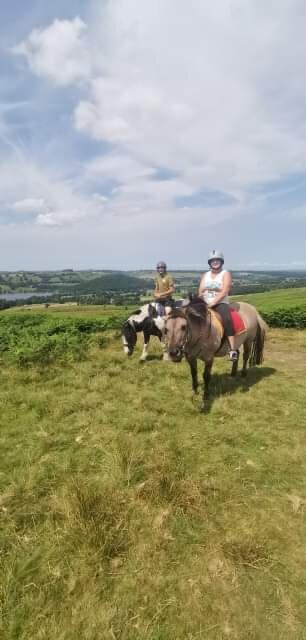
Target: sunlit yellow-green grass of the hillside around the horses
[128,514]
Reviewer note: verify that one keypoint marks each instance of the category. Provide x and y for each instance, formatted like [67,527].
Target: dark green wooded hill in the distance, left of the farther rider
[114,282]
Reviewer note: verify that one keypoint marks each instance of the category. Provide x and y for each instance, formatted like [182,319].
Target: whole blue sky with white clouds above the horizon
[135,131]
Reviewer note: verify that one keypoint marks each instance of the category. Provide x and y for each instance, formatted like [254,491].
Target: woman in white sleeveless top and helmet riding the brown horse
[214,288]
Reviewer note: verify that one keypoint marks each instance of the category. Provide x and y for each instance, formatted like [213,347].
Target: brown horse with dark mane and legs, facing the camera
[196,332]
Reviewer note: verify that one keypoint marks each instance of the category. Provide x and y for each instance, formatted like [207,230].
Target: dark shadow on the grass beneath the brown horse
[222,384]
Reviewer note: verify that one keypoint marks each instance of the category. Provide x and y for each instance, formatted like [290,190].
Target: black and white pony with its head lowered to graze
[147,320]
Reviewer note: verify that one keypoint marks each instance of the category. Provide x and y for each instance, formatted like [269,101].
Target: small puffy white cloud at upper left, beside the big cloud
[58,52]
